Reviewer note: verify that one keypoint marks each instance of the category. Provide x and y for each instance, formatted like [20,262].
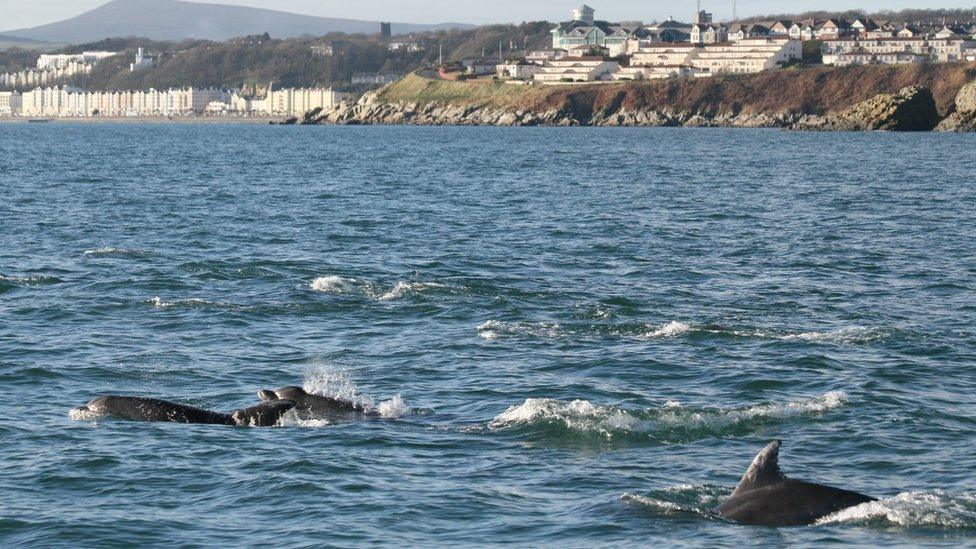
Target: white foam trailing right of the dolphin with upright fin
[934,509]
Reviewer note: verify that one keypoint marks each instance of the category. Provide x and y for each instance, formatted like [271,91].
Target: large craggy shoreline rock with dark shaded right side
[910,110]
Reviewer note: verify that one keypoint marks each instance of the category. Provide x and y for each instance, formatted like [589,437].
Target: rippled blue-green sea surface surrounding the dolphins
[573,337]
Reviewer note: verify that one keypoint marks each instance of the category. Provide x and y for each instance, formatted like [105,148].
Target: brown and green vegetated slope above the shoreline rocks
[812,91]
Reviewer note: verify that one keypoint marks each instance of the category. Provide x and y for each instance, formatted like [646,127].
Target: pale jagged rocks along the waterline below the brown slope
[911,109]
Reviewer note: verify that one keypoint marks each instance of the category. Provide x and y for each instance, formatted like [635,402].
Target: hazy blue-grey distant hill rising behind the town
[178,20]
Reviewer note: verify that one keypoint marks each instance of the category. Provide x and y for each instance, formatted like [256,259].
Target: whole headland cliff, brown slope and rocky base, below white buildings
[821,99]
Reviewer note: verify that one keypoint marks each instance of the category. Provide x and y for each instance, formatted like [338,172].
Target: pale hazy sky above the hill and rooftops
[25,13]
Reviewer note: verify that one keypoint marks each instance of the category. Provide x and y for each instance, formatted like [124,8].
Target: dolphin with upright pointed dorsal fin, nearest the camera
[765,497]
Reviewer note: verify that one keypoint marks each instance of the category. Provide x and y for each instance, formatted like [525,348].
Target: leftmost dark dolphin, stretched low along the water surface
[265,414]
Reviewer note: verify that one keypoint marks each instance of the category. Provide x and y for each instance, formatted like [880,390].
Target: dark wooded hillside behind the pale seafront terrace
[254,61]
